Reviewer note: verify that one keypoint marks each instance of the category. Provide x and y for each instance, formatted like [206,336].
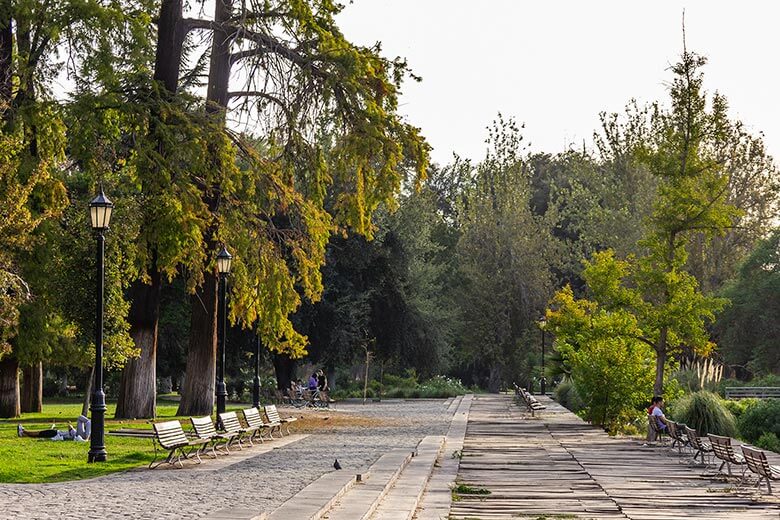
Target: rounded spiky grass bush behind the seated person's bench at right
[705,412]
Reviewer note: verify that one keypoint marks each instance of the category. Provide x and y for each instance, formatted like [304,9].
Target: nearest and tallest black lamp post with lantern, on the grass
[100,214]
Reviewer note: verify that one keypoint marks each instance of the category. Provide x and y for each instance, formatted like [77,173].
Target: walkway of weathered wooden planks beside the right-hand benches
[554,465]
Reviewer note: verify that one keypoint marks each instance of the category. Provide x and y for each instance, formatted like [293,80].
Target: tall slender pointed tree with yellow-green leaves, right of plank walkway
[692,198]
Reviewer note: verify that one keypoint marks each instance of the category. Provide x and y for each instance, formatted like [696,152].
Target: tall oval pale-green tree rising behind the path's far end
[503,260]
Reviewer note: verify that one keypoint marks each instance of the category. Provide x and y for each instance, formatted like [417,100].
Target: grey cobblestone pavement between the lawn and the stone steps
[261,482]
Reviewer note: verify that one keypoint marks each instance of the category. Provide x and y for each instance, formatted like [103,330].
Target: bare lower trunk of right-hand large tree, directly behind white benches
[197,396]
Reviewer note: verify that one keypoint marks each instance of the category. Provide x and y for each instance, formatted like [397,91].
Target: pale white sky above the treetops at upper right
[555,64]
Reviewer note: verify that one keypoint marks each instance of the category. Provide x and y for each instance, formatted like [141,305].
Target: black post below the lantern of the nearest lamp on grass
[97,446]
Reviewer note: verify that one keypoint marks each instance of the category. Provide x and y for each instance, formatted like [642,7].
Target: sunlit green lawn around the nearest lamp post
[27,460]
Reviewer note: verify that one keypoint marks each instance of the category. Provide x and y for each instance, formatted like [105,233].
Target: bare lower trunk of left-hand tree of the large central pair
[138,389]
